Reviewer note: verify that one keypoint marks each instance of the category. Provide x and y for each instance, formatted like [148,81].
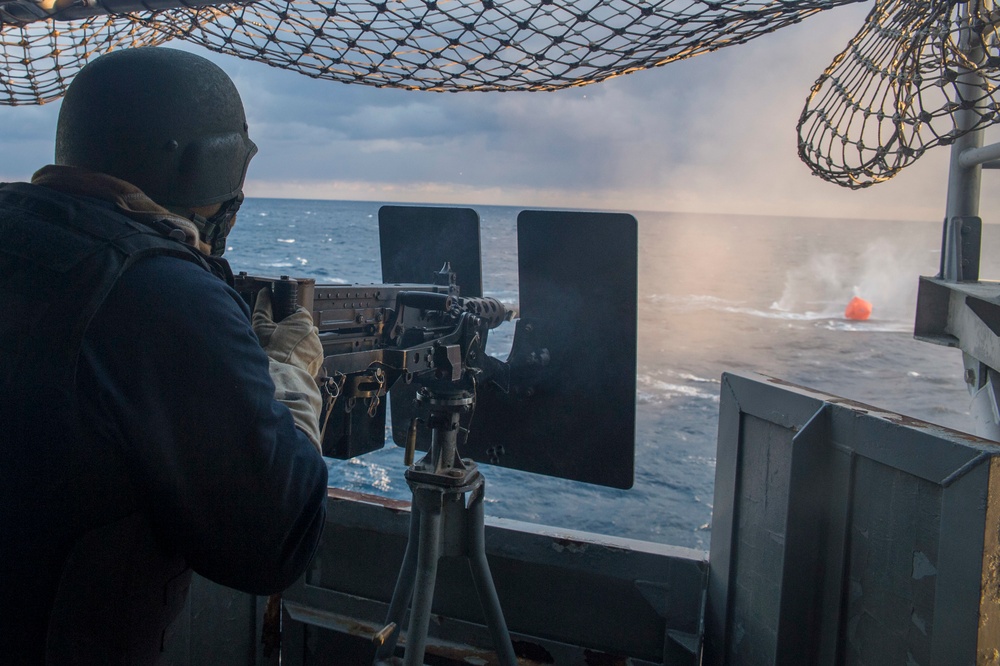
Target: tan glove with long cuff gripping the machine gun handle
[296,355]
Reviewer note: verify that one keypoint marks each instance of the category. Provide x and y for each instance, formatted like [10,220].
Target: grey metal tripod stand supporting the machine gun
[442,524]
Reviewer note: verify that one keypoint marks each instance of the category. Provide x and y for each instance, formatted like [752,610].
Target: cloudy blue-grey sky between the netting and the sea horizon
[712,134]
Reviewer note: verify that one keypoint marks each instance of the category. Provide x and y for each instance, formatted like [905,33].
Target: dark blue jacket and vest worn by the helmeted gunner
[139,436]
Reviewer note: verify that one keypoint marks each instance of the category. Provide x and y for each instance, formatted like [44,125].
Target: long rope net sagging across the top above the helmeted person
[440,45]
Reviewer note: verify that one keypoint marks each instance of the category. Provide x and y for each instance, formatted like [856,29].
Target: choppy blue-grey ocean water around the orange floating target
[716,293]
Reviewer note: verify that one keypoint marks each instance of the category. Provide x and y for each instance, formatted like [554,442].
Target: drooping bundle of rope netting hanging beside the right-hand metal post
[919,74]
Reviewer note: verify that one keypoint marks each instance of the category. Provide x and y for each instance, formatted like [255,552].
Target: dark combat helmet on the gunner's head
[168,121]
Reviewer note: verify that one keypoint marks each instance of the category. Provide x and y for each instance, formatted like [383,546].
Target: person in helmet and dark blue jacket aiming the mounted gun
[147,428]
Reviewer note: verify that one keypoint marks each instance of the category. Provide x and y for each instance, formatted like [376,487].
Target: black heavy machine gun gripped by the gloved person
[376,335]
